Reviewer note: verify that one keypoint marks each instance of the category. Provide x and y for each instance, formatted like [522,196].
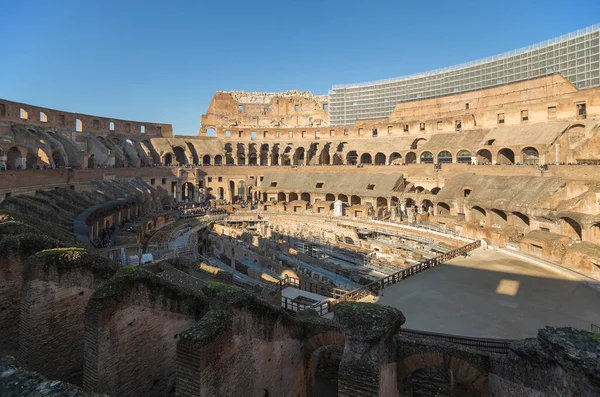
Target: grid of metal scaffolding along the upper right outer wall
[574,55]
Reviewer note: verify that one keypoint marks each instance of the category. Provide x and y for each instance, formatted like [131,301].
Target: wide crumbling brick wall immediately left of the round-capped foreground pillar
[249,348]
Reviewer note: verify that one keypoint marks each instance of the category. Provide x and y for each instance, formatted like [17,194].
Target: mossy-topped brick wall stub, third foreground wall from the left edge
[132,325]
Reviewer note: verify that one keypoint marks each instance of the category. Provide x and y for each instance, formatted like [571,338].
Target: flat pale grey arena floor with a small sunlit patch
[492,294]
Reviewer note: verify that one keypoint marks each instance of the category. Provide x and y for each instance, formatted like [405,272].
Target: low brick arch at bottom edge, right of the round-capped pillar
[417,373]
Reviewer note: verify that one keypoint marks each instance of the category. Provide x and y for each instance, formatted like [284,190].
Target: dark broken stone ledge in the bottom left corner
[18,382]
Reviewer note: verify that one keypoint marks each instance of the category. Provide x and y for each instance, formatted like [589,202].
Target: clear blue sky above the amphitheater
[163,60]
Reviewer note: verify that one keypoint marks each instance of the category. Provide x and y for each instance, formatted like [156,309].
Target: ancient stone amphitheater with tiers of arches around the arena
[277,255]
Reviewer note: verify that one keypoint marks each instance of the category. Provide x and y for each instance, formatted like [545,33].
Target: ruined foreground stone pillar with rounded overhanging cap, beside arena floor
[368,366]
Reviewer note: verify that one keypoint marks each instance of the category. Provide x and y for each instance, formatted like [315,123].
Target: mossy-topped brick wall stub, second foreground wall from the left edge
[57,286]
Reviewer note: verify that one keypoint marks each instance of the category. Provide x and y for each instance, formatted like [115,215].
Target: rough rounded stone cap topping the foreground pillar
[367,321]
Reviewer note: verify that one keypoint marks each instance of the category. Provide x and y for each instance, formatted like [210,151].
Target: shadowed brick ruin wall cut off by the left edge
[14,250]
